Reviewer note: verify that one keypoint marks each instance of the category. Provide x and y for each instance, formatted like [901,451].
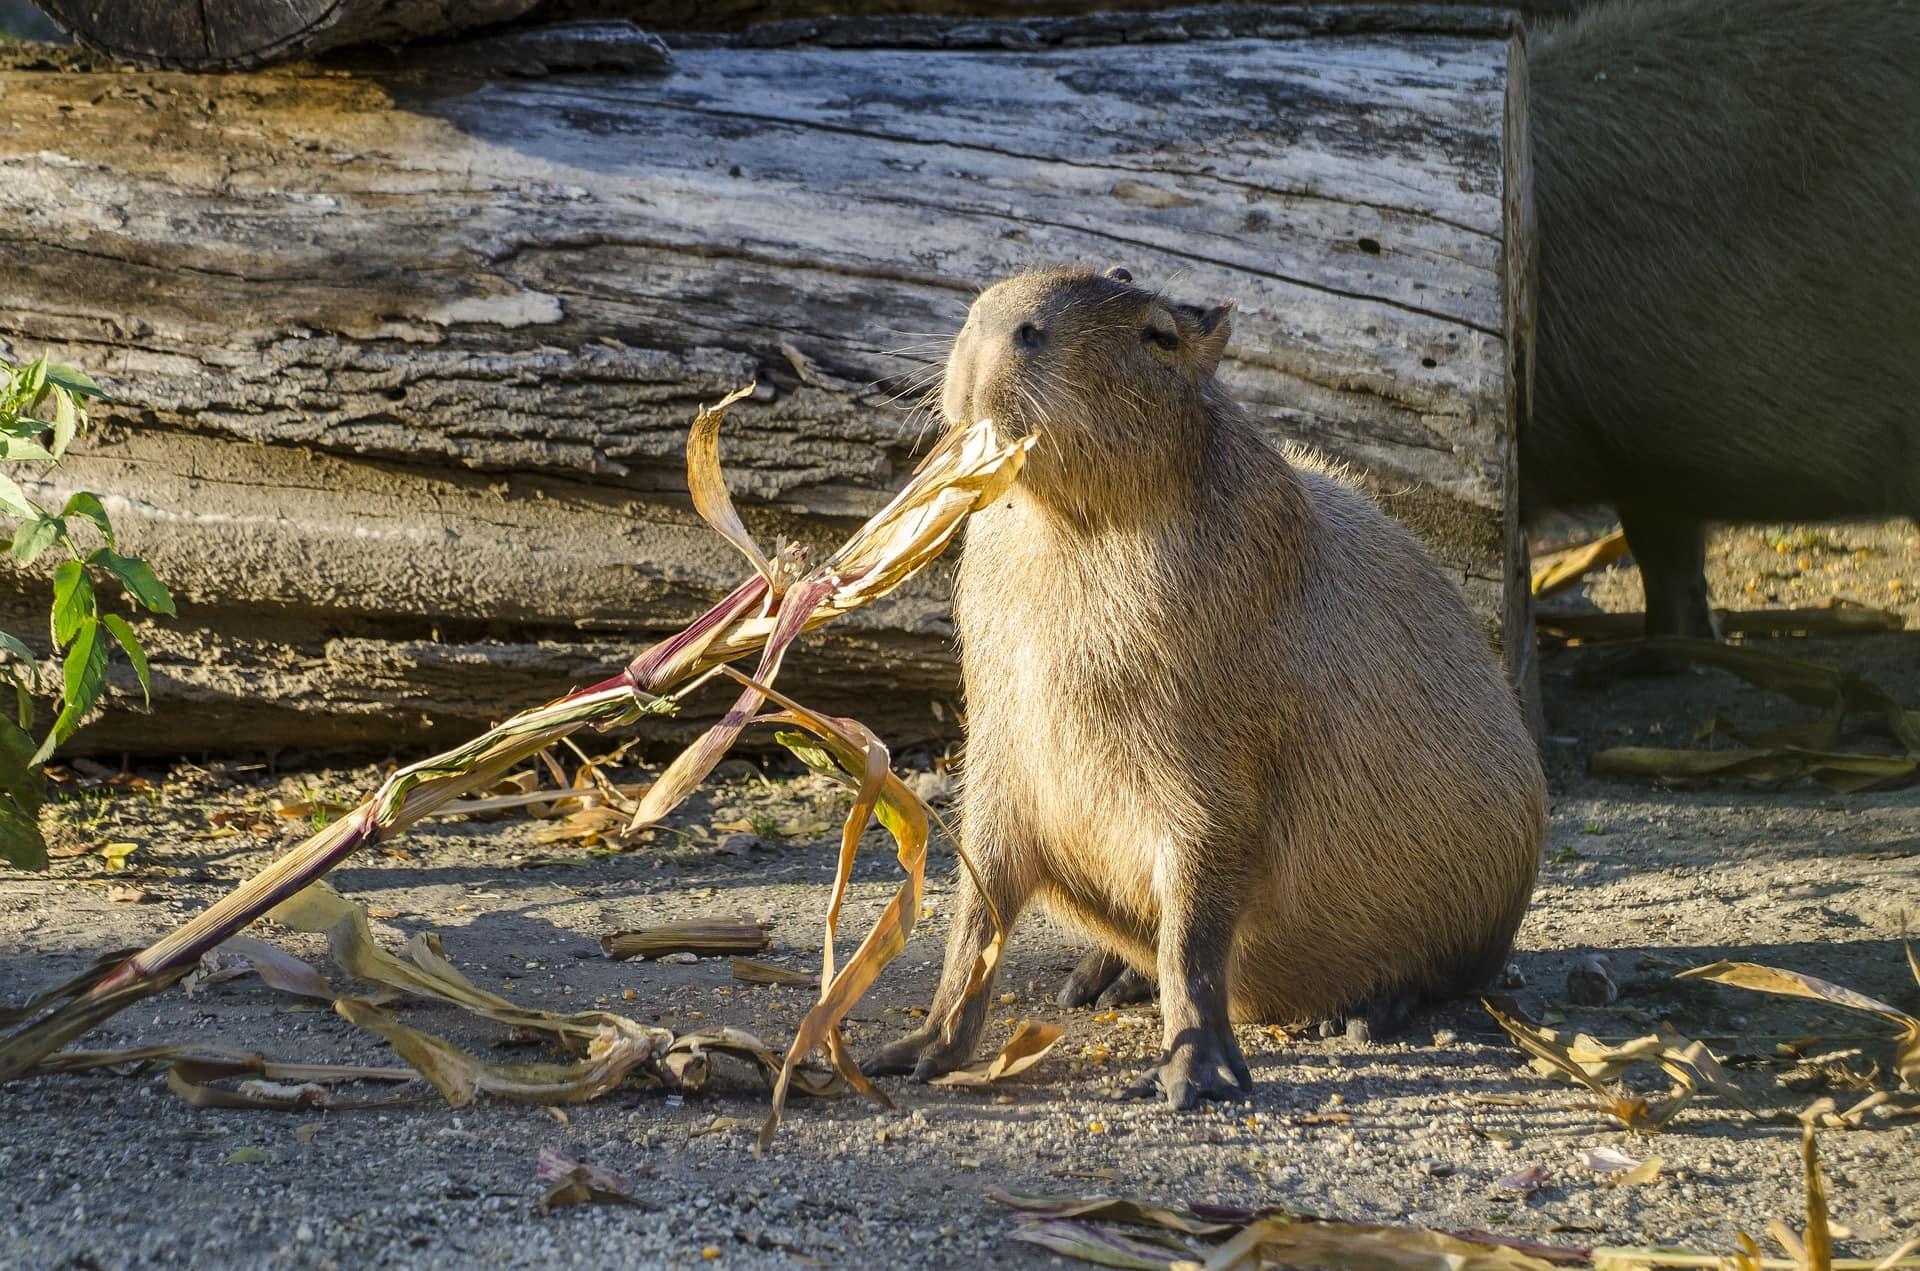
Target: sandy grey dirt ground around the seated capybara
[114,1172]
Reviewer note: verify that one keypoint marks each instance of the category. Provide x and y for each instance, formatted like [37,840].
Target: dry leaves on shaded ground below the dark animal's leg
[1783,755]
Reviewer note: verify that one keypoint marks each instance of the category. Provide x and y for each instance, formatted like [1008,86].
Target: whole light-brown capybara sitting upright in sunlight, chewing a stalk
[1224,715]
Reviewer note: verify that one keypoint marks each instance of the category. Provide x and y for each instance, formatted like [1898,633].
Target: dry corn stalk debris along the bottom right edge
[1224,1239]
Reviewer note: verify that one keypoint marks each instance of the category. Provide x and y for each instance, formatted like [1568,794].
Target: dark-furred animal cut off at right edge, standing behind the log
[1727,197]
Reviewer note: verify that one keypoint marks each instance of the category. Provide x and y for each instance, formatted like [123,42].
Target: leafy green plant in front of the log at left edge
[43,410]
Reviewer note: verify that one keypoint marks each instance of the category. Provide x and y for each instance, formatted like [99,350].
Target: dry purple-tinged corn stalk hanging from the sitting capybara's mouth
[965,473]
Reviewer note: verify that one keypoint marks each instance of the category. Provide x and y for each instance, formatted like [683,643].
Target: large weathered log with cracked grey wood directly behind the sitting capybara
[406,360]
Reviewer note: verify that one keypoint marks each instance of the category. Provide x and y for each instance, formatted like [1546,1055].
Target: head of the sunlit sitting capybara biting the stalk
[1113,377]
